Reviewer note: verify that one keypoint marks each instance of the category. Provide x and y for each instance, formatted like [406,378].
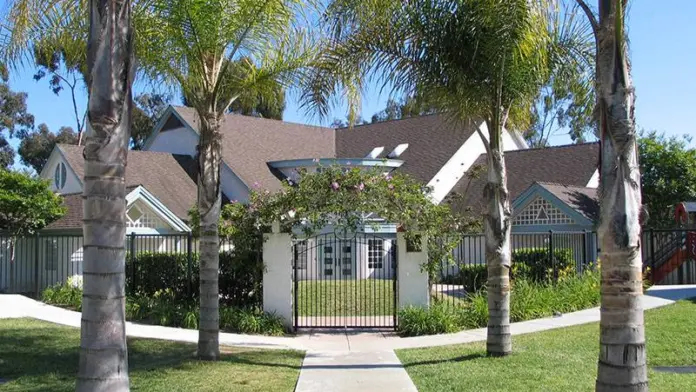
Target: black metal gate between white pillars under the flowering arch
[345,281]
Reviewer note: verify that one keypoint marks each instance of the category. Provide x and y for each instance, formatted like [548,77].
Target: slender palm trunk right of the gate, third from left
[498,259]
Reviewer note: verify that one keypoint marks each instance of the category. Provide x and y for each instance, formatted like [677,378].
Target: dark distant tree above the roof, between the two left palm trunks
[146,112]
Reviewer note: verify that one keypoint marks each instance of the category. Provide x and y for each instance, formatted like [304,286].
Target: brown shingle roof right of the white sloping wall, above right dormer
[571,165]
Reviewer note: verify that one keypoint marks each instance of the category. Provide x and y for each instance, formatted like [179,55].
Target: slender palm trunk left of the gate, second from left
[209,158]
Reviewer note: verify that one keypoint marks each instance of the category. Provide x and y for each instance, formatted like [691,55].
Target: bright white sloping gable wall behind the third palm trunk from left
[456,167]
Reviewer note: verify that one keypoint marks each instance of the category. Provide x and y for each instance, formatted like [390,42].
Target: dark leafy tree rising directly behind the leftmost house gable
[37,145]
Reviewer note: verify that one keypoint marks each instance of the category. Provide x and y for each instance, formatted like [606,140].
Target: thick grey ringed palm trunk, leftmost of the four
[103,355]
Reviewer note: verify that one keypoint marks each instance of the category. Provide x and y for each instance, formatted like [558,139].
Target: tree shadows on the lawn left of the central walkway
[52,351]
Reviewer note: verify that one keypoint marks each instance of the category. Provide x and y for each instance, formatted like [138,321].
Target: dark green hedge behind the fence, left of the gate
[240,280]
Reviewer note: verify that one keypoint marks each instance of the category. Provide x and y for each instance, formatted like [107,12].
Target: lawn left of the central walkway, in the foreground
[40,356]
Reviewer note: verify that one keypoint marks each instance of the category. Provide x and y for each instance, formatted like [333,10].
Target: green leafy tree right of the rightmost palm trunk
[668,175]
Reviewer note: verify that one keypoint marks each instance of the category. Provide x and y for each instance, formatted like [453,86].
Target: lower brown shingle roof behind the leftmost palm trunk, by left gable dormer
[170,178]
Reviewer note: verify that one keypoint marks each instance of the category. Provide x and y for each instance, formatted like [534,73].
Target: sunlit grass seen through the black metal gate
[366,297]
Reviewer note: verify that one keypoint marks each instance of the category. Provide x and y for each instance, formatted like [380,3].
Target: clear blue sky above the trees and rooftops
[663,52]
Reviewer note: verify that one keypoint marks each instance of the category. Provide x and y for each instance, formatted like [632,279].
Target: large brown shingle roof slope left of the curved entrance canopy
[249,142]
